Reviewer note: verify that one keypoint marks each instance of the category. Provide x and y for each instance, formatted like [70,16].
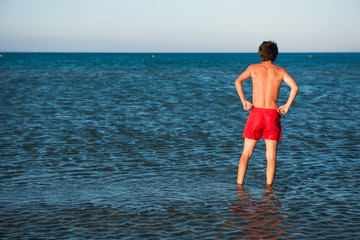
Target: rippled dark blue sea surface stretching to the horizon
[135,146]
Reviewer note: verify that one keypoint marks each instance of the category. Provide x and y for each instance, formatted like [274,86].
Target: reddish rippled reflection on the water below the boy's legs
[257,218]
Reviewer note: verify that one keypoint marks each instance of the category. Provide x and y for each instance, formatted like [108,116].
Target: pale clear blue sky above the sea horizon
[179,25]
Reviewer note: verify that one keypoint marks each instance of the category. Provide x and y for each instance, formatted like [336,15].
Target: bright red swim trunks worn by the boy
[263,122]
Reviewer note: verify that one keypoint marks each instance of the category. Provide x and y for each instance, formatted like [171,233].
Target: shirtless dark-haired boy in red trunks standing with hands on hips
[264,117]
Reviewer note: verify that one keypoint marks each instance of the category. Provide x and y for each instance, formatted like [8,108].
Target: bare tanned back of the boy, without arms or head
[266,78]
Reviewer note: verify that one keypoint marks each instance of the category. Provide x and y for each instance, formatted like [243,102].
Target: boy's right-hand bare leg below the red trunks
[271,149]
